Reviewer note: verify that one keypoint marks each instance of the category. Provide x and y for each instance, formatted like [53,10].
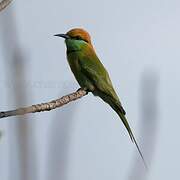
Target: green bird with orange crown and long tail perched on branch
[91,74]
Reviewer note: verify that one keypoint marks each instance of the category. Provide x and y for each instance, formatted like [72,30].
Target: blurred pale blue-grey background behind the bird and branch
[138,42]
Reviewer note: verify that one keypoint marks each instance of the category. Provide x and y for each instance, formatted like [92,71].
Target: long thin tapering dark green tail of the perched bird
[120,111]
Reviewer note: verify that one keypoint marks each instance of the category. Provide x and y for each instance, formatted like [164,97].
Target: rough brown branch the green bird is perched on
[45,106]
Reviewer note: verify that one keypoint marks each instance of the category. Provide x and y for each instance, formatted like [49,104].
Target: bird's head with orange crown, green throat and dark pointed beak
[76,38]
